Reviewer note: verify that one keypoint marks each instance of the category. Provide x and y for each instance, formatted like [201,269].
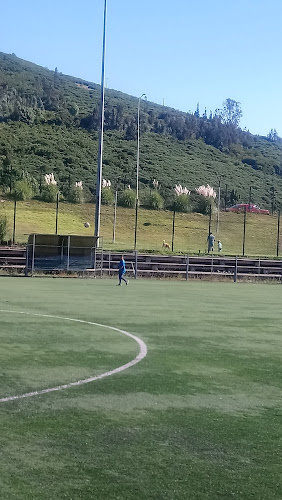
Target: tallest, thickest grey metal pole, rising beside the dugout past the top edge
[101,134]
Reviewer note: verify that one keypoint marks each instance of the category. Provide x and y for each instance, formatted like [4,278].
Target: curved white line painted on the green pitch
[139,357]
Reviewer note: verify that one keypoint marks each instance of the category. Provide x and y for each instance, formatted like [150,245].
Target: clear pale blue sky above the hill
[179,52]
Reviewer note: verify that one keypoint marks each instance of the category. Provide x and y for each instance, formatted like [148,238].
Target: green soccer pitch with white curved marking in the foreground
[198,417]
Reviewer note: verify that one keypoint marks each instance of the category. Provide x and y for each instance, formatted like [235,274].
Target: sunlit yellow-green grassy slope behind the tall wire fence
[190,229]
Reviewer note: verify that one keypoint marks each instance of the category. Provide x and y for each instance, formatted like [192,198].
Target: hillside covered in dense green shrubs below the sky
[48,123]
